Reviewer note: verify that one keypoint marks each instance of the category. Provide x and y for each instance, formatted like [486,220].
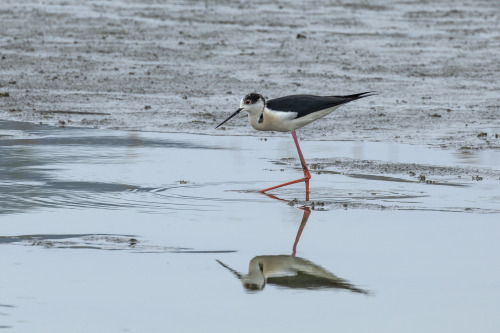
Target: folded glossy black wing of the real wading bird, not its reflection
[306,104]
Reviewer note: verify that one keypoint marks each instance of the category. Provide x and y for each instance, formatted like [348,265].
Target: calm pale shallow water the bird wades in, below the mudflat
[121,231]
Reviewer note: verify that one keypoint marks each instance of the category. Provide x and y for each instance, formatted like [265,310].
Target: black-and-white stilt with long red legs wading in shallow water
[288,113]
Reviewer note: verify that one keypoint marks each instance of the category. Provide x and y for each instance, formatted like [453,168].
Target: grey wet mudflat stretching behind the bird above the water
[183,66]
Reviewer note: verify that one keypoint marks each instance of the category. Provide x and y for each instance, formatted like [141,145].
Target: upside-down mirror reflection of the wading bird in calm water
[289,271]
